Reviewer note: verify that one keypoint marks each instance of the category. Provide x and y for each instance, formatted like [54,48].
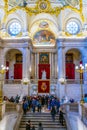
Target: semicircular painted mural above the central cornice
[44,37]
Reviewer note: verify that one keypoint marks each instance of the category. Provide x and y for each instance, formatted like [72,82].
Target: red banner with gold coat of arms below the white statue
[43,86]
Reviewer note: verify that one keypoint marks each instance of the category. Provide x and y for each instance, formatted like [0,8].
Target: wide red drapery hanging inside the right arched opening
[70,71]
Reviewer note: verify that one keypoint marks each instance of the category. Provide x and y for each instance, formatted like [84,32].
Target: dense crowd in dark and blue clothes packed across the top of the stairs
[37,103]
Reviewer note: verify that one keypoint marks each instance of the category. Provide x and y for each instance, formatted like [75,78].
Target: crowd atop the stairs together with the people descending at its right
[36,103]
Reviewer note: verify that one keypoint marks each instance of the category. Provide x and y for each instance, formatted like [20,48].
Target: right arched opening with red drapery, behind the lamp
[73,57]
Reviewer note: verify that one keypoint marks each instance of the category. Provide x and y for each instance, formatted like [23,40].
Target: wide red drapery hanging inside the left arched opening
[17,71]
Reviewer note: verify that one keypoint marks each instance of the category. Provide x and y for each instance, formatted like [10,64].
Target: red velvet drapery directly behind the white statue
[42,67]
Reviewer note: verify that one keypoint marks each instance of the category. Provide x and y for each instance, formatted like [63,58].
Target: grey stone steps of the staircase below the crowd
[43,117]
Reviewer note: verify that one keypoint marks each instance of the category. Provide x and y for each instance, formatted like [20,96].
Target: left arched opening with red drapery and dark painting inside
[14,62]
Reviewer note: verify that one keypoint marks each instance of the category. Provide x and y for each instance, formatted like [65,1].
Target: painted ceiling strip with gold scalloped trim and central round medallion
[39,6]
